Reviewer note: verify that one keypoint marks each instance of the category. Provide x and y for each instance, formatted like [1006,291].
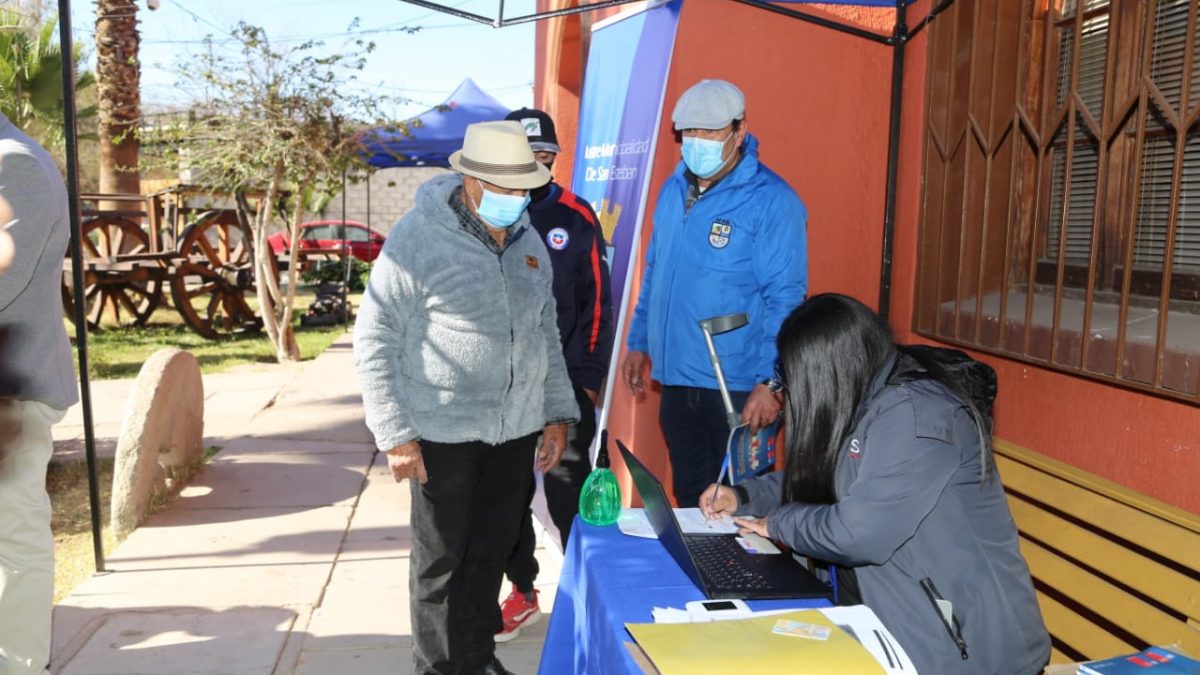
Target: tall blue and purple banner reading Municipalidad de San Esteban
[620,115]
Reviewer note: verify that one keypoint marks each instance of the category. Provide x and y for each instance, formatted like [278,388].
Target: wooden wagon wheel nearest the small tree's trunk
[215,272]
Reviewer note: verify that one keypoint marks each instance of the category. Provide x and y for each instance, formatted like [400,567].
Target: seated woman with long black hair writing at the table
[889,480]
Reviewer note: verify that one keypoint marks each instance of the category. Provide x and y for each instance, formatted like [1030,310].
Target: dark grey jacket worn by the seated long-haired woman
[915,523]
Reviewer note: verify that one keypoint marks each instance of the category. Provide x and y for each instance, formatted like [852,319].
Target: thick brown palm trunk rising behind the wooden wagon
[118,75]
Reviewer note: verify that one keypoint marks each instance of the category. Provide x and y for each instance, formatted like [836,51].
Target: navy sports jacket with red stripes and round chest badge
[573,237]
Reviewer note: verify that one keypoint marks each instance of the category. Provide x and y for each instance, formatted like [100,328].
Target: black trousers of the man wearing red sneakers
[563,486]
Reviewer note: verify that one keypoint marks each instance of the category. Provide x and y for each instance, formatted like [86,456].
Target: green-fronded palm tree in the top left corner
[32,77]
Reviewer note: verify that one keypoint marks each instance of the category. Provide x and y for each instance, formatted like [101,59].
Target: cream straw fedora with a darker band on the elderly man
[499,152]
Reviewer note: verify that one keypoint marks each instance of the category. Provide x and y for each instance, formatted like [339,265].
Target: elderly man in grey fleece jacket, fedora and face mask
[459,354]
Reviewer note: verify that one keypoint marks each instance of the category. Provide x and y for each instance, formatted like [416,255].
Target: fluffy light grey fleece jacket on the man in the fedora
[457,343]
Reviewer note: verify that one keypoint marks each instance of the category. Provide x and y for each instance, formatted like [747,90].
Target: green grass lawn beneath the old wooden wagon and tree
[118,353]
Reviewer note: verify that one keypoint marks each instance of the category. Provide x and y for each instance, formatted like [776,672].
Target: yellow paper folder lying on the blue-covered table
[748,646]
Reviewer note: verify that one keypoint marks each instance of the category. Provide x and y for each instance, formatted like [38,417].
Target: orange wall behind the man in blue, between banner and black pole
[827,140]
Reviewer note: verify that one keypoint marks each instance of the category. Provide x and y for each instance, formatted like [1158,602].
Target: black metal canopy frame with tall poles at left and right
[898,40]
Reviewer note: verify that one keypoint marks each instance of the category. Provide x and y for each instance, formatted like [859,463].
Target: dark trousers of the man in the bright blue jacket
[694,425]
